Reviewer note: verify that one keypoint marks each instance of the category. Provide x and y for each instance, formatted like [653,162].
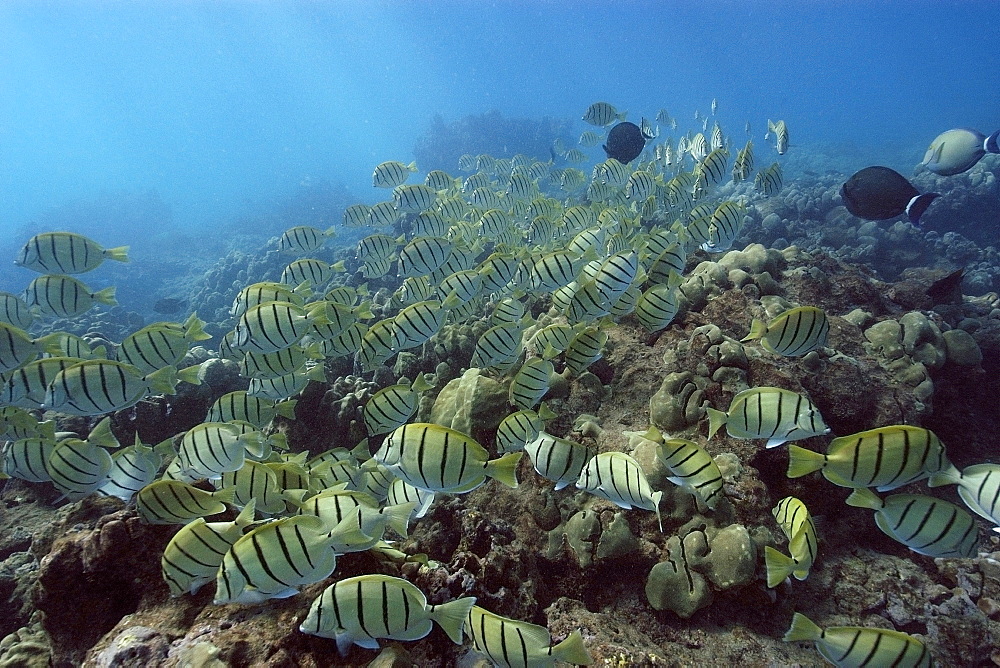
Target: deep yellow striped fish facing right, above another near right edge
[884,458]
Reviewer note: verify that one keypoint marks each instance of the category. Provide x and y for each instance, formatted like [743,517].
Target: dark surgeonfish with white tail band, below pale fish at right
[880,193]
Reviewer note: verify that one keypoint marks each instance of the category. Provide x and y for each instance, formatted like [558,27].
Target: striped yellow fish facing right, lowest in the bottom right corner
[859,647]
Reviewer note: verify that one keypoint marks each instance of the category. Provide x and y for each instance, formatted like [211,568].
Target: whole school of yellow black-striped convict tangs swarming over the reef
[600,247]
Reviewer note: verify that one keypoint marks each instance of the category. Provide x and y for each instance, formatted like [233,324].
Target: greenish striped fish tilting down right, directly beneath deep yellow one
[926,525]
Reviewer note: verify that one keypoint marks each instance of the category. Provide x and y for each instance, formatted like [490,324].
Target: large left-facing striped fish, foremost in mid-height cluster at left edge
[95,387]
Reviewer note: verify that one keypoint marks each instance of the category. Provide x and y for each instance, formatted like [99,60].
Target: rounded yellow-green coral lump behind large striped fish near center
[472,403]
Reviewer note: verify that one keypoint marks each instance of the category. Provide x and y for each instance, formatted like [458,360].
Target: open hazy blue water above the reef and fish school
[211,112]
